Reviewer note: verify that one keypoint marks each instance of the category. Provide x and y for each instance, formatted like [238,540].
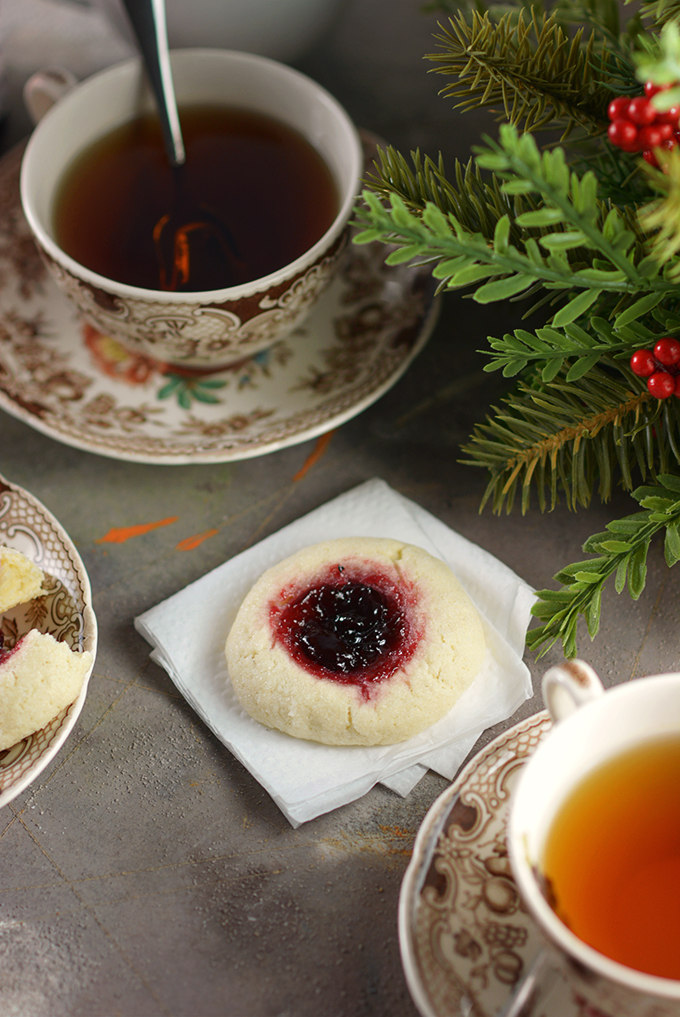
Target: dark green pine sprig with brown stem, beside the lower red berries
[565,437]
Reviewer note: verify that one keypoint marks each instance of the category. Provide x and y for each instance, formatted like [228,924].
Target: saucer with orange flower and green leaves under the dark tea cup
[82,388]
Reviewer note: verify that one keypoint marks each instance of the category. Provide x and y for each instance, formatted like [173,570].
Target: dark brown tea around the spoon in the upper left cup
[254,196]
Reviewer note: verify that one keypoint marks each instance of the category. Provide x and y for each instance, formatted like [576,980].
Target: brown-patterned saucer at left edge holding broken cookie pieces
[66,612]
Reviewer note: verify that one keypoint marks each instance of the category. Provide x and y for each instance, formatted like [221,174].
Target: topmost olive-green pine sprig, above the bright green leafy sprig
[529,66]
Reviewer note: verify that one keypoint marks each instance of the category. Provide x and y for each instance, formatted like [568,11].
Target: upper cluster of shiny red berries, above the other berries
[638,127]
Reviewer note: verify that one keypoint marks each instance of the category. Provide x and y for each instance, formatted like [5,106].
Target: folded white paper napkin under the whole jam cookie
[190,630]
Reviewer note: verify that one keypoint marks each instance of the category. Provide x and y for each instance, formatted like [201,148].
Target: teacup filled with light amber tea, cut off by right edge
[594,840]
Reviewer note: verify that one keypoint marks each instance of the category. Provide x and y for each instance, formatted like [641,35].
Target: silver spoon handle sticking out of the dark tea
[148,19]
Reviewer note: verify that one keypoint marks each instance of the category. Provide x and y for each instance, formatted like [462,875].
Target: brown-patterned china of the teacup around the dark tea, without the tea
[202,331]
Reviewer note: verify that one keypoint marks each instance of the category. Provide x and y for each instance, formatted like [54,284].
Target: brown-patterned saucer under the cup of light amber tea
[465,938]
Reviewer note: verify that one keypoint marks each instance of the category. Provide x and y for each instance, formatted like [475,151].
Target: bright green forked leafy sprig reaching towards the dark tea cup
[590,252]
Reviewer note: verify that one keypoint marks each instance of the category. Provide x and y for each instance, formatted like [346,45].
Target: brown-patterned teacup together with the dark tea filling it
[210,268]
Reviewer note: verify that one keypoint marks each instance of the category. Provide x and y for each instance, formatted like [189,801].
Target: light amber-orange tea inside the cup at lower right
[612,859]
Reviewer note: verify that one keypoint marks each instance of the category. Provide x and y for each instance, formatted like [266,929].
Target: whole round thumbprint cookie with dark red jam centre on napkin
[355,642]
